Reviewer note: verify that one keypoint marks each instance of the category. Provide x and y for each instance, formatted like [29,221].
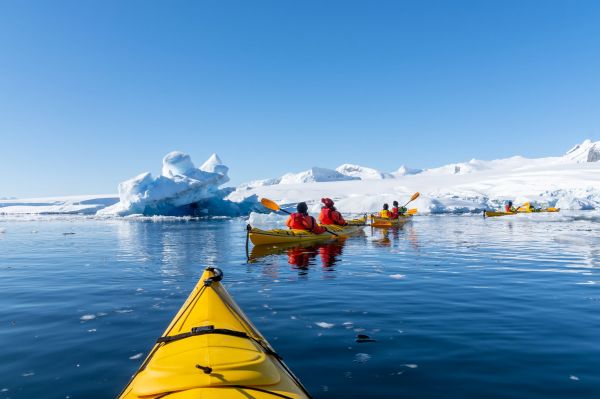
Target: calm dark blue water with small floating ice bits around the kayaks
[460,307]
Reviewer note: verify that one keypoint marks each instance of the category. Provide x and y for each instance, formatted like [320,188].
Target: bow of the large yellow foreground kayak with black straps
[211,350]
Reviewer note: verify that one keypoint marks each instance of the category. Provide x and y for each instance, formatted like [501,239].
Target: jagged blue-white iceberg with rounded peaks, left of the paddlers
[181,189]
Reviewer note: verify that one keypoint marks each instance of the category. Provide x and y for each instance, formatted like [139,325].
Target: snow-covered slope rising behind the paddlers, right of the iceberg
[571,181]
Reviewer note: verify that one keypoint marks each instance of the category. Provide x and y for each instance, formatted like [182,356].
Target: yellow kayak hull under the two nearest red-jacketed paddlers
[282,236]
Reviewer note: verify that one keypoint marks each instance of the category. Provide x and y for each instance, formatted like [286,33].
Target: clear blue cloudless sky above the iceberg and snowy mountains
[95,92]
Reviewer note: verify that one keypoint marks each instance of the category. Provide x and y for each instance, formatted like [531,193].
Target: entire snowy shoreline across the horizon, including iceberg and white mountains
[569,182]
